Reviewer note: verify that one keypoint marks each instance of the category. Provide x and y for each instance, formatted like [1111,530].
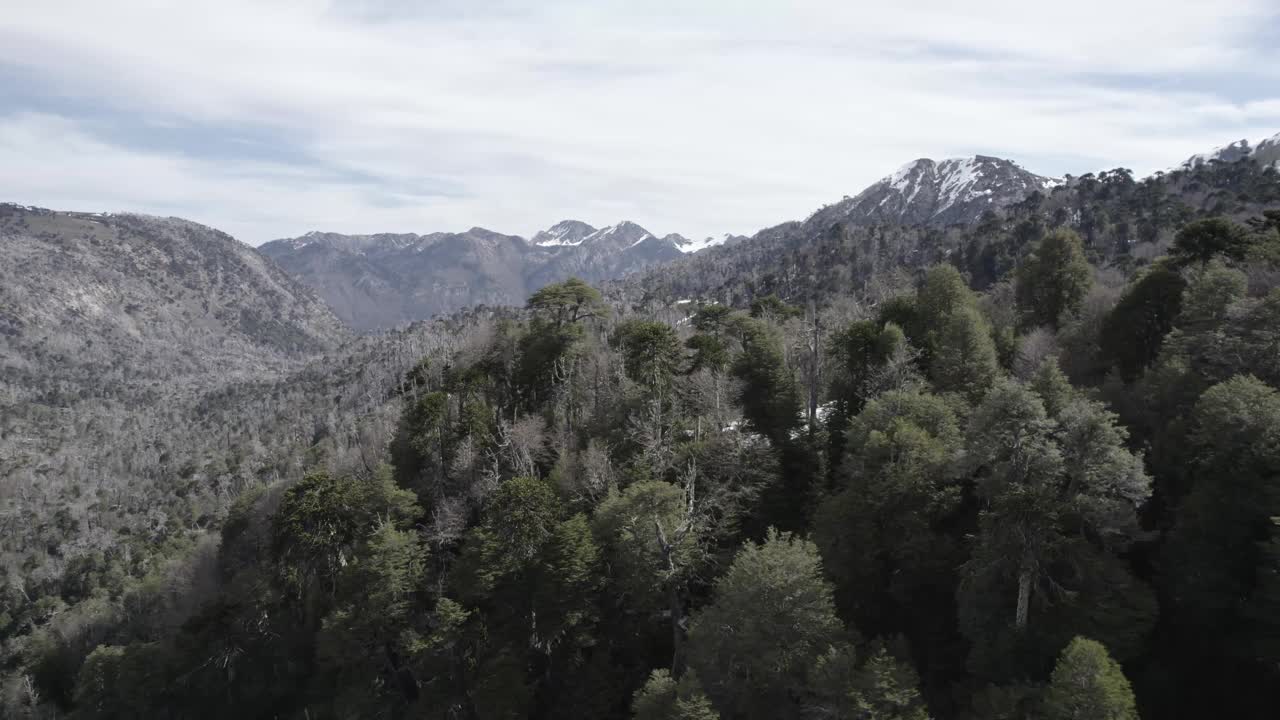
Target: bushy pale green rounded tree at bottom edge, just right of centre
[771,621]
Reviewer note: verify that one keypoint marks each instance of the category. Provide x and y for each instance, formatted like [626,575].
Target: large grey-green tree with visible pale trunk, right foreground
[1060,500]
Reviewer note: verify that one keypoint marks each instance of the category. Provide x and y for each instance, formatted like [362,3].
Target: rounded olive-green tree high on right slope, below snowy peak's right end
[1054,280]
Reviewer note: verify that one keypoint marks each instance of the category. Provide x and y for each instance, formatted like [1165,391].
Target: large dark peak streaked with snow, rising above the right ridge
[956,192]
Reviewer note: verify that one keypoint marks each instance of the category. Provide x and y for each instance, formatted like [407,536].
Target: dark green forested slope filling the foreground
[1031,472]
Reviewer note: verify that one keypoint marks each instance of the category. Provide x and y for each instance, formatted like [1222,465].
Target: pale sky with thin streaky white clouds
[275,119]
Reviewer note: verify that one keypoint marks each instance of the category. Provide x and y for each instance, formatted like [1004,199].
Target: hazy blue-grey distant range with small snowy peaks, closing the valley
[382,281]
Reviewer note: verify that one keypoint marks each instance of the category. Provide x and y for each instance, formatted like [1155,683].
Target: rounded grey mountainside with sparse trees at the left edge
[130,298]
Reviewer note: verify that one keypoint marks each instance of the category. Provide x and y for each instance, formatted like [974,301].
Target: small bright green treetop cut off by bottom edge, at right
[1087,683]
